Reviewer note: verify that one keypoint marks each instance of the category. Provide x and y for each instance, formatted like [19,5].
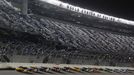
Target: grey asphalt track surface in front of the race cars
[65,73]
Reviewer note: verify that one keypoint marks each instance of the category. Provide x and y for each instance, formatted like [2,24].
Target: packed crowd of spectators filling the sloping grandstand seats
[62,37]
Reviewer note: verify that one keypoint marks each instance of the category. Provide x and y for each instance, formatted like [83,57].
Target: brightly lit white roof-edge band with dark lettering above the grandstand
[103,16]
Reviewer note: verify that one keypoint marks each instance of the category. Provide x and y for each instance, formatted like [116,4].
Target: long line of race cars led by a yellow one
[70,69]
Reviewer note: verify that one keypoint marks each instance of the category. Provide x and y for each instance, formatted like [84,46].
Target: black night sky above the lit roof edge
[119,8]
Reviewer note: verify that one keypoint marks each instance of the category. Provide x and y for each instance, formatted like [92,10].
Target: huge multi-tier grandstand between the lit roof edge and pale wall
[55,36]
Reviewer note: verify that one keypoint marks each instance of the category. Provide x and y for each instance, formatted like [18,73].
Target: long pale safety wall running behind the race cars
[15,65]
